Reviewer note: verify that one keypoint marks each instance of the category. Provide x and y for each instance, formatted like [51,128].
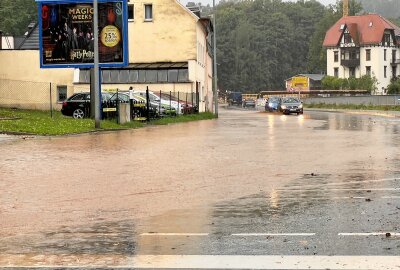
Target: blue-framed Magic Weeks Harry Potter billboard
[66,33]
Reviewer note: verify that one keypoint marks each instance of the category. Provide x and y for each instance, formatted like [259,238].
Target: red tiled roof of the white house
[365,30]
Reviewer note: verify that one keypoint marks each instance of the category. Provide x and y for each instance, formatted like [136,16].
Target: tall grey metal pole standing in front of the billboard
[96,65]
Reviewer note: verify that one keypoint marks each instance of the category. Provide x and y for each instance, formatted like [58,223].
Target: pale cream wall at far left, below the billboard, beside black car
[24,85]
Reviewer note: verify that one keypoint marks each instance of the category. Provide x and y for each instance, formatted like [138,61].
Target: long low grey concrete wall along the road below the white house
[359,100]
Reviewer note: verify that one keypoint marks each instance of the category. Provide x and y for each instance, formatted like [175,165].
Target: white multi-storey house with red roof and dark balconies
[364,45]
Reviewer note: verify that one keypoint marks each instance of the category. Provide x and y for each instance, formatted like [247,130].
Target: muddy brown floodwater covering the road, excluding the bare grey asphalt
[56,191]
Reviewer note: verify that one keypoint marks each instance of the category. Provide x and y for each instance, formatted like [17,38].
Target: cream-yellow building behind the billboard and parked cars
[170,50]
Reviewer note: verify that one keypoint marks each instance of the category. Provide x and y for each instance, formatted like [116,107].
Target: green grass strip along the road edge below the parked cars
[40,122]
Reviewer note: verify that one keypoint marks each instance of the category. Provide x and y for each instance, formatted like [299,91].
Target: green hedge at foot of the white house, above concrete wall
[363,83]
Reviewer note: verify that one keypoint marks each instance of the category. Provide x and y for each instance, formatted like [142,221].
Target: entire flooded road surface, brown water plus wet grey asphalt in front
[247,184]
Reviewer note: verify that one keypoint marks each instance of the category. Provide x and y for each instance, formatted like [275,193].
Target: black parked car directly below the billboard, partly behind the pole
[78,105]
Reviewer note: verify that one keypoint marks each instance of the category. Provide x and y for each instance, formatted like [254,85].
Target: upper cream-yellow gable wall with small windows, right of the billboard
[169,37]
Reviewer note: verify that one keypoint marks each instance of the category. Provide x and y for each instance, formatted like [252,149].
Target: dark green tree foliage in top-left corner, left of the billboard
[16,15]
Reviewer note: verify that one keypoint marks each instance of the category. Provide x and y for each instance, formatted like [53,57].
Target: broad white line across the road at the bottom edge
[227,262]
